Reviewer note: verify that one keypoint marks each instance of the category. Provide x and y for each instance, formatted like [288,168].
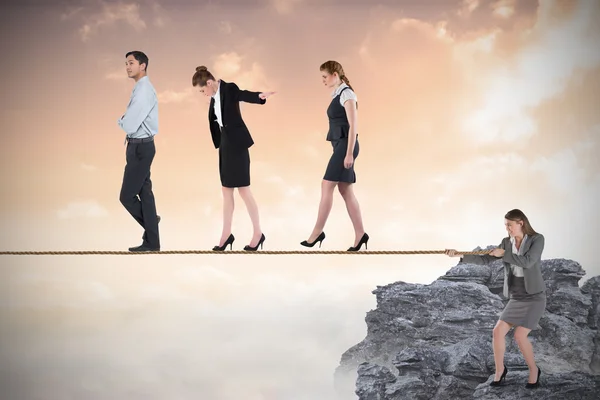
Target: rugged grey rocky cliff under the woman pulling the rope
[435,341]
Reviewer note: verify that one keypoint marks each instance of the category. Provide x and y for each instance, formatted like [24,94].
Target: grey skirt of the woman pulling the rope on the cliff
[523,309]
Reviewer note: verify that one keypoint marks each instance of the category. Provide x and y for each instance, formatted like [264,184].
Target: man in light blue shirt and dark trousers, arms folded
[140,123]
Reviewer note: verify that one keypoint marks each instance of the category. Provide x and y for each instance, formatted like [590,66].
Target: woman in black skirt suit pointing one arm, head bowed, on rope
[231,136]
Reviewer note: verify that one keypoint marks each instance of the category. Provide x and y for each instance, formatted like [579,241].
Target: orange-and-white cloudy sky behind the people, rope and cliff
[467,110]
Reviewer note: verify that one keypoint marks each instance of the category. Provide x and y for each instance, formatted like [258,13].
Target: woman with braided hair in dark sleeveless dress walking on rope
[342,113]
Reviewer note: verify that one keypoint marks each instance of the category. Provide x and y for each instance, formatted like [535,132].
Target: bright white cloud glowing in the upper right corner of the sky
[541,71]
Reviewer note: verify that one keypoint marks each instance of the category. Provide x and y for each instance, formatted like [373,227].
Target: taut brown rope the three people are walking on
[264,252]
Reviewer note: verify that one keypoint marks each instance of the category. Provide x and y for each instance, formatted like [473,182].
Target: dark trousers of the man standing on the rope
[136,182]
